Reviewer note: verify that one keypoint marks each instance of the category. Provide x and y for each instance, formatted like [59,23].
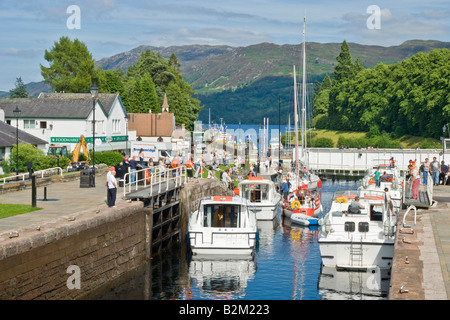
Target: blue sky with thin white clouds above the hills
[108,27]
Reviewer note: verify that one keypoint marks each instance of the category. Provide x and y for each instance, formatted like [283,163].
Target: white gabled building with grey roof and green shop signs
[61,118]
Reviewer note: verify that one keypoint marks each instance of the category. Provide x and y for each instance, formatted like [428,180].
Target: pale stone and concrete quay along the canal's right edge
[421,261]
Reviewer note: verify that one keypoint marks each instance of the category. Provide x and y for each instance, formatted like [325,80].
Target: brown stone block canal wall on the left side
[97,247]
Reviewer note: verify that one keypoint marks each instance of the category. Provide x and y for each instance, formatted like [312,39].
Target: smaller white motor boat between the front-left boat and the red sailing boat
[262,196]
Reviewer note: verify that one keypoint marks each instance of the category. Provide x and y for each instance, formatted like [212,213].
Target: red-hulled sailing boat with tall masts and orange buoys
[304,199]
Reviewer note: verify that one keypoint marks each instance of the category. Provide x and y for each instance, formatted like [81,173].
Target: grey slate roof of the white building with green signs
[57,105]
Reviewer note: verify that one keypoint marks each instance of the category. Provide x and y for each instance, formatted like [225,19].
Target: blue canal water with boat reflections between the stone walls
[286,266]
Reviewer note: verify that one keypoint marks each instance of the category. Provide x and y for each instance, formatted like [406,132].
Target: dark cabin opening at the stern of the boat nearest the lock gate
[219,216]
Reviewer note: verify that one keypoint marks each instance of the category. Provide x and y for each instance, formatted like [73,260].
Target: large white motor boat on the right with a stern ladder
[357,240]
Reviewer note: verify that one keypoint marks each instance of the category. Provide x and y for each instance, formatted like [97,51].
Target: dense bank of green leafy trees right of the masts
[410,97]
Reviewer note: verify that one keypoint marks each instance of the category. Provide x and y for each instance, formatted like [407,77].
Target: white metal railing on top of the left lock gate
[160,176]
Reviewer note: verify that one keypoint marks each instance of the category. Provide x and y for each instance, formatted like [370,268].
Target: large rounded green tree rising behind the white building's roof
[71,66]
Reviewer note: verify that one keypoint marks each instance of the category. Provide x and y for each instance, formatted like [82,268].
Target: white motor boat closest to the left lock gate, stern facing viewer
[222,225]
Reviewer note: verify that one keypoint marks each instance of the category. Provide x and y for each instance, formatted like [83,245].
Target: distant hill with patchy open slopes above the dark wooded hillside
[214,68]
